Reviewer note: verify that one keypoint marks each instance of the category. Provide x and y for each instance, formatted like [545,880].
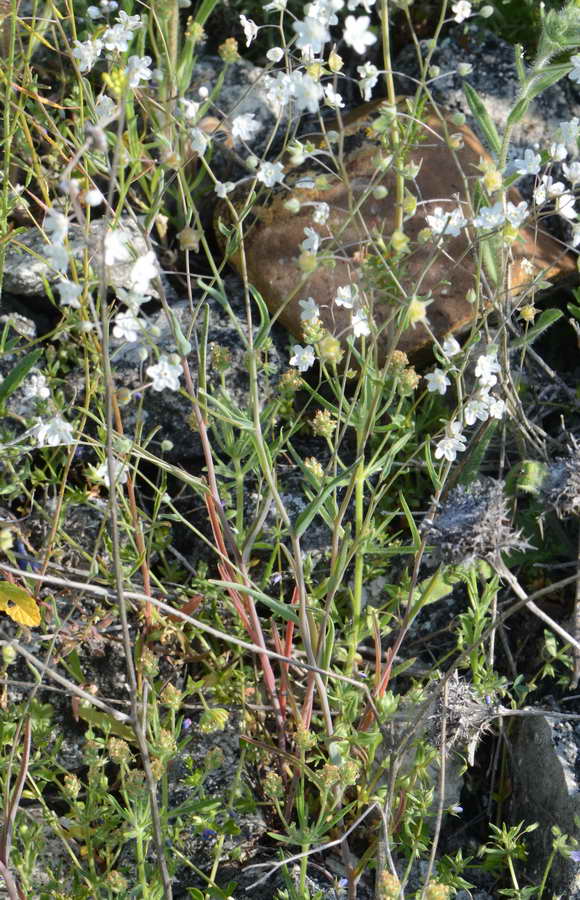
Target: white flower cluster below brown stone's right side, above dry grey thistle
[481,406]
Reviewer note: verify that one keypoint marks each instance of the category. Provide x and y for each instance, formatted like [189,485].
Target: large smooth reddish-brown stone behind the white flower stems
[272,238]
